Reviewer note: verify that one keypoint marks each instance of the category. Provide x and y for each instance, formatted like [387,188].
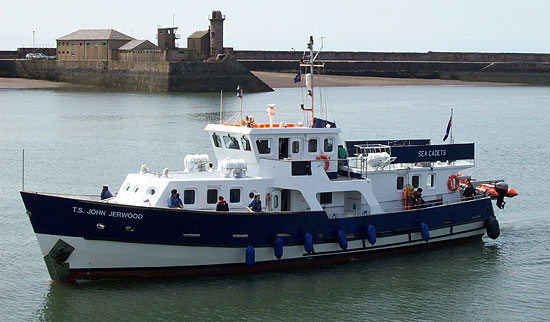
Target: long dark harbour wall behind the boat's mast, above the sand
[490,67]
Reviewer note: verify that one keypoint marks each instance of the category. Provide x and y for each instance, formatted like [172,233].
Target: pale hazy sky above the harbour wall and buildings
[369,25]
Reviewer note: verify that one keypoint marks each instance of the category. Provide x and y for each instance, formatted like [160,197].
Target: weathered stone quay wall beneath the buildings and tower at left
[140,76]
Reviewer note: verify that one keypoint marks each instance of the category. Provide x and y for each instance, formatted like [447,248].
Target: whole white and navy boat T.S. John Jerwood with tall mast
[323,201]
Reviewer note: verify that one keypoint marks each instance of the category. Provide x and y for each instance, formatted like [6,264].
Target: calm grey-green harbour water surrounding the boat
[77,140]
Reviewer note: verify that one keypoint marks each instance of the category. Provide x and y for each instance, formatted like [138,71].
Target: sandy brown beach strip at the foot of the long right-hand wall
[286,80]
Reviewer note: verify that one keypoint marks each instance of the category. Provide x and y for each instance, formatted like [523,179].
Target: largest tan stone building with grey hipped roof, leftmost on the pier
[91,44]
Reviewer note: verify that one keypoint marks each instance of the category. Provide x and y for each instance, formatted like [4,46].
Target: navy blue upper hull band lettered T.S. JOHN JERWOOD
[54,215]
